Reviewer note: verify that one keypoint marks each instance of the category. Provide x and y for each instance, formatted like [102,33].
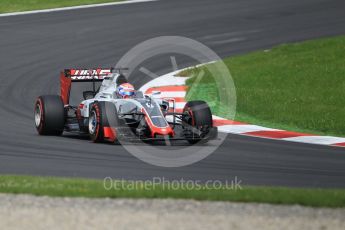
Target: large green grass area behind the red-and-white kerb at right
[298,87]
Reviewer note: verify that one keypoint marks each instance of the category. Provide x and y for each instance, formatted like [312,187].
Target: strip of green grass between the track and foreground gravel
[62,187]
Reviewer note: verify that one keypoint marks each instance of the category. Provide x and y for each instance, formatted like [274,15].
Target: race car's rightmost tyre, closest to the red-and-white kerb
[197,115]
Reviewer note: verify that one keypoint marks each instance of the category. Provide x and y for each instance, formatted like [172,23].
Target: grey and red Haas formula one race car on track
[105,116]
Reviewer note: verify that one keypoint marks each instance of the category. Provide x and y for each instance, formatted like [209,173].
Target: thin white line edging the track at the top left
[73,8]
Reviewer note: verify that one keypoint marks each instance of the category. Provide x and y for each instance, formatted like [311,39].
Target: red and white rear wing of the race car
[80,75]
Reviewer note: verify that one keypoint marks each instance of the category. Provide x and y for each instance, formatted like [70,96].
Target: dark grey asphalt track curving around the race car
[34,48]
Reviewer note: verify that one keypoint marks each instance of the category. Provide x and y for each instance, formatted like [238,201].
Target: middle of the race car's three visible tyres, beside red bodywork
[102,115]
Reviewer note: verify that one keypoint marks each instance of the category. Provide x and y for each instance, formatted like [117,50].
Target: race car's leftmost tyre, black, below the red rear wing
[49,115]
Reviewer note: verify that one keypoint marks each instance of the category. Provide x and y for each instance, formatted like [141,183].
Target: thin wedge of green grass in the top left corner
[25,5]
